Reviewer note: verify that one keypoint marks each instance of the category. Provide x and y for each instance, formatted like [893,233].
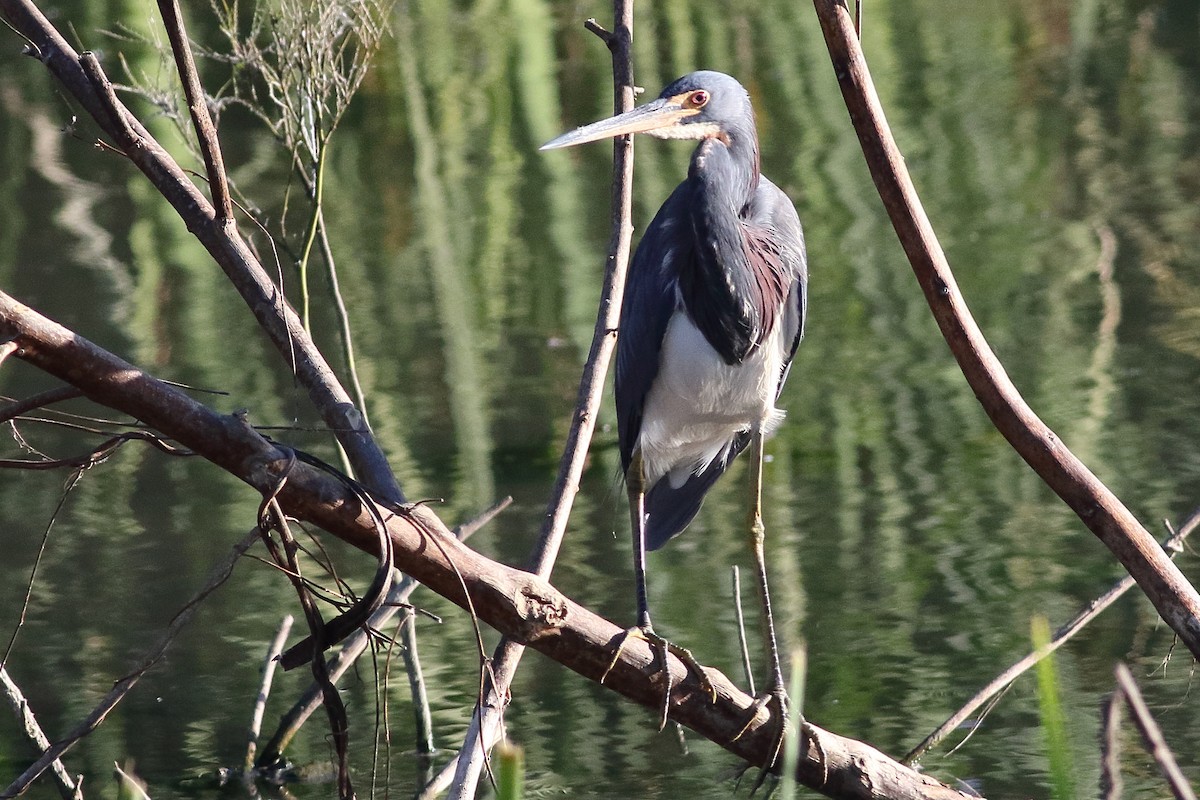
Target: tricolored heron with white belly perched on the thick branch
[713,311]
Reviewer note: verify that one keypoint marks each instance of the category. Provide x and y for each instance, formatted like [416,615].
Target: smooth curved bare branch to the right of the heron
[1102,512]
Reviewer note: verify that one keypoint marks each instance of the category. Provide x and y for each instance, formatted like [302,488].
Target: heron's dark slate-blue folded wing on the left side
[651,298]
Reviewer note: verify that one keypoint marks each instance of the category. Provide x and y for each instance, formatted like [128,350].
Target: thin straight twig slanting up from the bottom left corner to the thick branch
[219,575]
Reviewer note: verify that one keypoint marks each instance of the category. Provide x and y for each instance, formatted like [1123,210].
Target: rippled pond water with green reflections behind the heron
[1057,148]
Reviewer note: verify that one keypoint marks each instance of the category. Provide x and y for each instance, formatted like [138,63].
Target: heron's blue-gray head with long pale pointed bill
[700,106]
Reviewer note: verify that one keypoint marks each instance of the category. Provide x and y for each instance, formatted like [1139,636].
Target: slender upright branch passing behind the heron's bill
[485,726]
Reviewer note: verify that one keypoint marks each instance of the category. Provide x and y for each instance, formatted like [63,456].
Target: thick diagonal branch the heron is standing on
[517,604]
